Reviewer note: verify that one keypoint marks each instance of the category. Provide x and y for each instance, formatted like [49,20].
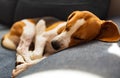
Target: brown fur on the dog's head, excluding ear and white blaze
[87,31]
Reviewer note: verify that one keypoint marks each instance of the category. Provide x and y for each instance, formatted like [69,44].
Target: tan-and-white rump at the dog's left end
[11,39]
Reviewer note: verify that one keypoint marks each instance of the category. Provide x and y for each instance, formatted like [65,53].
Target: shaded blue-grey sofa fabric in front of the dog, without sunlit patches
[92,58]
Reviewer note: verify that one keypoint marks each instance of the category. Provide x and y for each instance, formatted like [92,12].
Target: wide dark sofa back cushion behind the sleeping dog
[59,8]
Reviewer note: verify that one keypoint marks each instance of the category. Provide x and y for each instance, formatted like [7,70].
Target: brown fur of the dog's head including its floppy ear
[94,27]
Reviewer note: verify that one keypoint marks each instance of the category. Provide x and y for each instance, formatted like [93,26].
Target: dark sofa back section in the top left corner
[7,8]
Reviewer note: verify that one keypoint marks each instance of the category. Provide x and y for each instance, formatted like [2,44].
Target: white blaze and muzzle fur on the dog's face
[65,37]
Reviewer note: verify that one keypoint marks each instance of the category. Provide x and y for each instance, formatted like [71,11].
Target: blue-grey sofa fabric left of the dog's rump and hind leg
[7,57]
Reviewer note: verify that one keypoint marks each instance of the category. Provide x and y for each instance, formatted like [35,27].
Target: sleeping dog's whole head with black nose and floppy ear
[83,26]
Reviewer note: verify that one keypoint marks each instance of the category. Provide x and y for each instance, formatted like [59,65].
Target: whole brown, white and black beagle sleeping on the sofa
[36,39]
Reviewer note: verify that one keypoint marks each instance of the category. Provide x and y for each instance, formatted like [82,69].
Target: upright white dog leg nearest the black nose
[40,41]
